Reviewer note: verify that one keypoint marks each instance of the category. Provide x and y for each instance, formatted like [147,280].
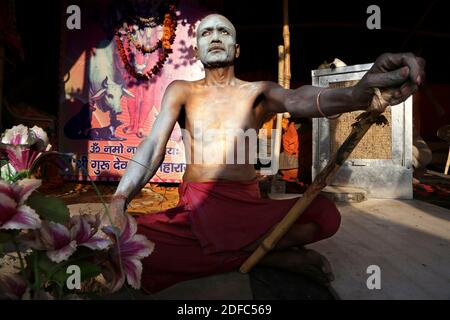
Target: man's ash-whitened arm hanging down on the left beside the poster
[150,152]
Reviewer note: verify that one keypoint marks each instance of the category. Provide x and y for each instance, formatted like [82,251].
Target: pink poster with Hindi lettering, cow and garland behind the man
[114,71]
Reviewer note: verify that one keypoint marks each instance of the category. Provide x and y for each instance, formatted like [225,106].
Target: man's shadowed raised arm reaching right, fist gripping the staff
[400,74]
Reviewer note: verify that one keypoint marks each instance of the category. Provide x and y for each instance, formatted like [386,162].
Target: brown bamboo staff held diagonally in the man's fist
[359,129]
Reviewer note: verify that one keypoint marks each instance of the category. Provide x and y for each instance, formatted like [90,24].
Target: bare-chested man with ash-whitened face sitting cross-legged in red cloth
[221,216]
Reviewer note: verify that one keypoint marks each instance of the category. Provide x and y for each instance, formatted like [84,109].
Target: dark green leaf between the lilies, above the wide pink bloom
[49,208]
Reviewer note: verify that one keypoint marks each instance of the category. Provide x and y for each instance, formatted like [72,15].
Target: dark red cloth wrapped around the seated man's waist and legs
[206,232]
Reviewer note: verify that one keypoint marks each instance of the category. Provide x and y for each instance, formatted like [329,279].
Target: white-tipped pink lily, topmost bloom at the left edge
[23,145]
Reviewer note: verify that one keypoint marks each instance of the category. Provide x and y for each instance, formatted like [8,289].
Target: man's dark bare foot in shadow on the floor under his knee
[303,261]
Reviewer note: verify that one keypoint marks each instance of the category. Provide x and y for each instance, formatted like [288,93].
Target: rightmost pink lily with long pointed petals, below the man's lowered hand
[129,249]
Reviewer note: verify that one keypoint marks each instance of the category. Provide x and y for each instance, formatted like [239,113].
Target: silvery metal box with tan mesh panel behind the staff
[383,163]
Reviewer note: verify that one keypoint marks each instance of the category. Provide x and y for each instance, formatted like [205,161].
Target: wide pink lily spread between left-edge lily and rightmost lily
[61,242]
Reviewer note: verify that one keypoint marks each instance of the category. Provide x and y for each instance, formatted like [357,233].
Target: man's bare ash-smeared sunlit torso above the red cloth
[215,116]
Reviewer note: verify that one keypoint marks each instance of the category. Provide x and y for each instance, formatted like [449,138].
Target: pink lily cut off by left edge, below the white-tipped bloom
[14,214]
